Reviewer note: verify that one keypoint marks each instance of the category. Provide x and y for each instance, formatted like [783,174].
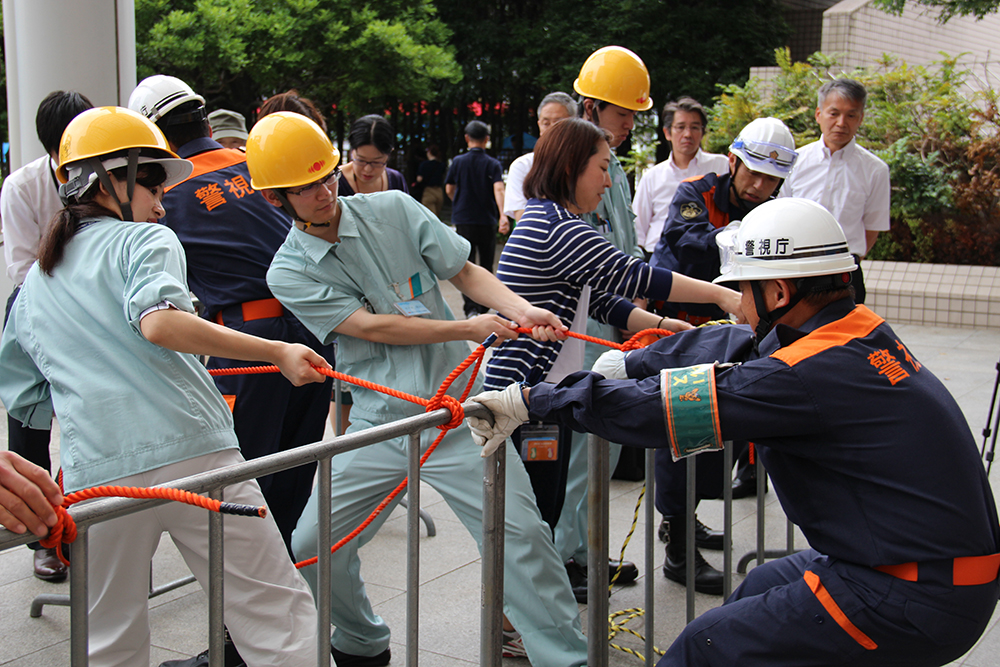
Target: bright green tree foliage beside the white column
[235,52]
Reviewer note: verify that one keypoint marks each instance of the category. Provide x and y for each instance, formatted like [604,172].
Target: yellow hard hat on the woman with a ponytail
[105,130]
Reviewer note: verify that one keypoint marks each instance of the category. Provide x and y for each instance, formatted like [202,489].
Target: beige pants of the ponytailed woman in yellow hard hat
[269,609]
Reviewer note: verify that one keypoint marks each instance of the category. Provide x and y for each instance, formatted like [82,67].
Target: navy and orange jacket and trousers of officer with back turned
[230,234]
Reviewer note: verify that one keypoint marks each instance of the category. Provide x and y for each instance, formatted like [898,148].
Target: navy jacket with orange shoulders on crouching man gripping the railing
[868,452]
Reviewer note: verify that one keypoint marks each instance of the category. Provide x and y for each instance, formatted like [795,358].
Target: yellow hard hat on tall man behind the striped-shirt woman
[616,75]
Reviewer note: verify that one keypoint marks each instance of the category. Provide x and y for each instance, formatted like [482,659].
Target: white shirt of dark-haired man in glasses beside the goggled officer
[657,188]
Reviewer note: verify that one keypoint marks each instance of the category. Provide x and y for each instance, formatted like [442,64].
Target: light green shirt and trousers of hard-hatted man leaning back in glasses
[394,250]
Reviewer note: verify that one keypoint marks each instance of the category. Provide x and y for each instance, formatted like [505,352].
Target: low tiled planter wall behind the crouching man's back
[934,294]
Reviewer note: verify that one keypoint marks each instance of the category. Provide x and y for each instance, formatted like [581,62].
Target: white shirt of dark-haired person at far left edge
[28,203]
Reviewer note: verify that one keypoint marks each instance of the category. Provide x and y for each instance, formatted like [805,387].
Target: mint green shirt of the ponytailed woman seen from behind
[73,345]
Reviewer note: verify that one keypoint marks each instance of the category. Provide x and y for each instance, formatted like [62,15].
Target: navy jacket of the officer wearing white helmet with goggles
[699,211]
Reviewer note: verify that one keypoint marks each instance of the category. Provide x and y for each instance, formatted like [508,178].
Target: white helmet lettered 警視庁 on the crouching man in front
[785,238]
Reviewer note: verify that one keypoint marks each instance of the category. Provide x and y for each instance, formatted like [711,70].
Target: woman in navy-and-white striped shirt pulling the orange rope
[557,261]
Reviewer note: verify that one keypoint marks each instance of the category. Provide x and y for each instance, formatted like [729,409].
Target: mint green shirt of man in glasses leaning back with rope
[391,250]
